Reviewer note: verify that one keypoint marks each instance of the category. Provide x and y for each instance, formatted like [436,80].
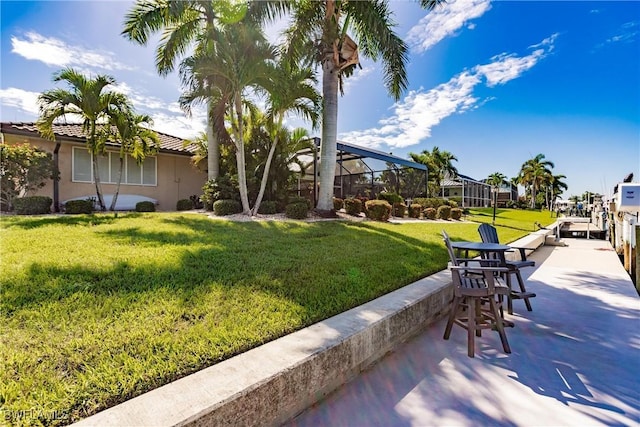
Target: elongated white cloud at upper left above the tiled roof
[55,52]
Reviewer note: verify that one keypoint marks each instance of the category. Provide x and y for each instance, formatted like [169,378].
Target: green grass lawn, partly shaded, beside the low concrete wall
[97,309]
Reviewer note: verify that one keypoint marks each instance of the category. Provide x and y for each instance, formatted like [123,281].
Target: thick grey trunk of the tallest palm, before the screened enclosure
[328,148]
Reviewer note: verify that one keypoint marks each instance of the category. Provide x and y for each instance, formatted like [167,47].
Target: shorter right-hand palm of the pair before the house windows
[136,140]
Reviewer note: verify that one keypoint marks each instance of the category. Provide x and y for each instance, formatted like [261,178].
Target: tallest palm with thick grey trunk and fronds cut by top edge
[318,34]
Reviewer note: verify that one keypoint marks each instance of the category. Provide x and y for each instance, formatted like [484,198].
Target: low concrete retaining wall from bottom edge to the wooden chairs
[274,382]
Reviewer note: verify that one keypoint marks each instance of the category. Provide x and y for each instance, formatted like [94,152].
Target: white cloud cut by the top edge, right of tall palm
[444,21]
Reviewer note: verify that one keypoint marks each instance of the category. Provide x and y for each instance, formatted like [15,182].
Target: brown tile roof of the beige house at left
[73,131]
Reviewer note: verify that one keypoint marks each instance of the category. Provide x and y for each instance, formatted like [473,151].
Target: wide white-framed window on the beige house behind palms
[109,167]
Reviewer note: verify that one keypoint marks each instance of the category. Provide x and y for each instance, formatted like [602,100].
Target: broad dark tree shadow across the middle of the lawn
[347,264]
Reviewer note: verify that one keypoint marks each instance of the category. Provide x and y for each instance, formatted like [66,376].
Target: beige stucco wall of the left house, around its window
[177,178]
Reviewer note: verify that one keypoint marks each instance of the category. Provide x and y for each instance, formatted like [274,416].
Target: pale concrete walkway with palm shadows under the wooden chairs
[575,360]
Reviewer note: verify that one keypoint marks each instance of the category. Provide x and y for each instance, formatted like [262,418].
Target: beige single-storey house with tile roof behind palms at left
[165,177]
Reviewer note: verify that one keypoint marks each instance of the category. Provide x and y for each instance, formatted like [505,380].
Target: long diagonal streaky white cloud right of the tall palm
[420,111]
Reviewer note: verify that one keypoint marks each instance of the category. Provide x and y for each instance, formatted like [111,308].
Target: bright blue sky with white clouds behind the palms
[494,83]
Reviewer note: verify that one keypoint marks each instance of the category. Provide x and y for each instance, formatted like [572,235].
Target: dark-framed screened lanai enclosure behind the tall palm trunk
[363,172]
